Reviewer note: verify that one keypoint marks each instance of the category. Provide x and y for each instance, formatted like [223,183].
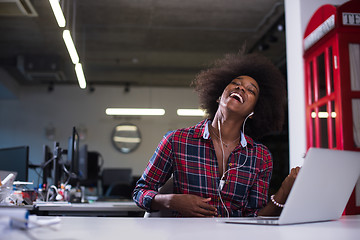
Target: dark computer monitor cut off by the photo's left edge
[15,159]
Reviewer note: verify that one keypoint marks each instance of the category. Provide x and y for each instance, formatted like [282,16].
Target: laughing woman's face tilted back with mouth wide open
[241,95]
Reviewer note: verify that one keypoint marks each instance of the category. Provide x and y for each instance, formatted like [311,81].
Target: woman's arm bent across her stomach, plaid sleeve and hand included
[157,172]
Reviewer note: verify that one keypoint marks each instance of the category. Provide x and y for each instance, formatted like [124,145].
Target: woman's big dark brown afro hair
[270,107]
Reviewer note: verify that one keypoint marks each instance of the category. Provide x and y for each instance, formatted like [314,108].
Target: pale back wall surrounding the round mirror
[23,120]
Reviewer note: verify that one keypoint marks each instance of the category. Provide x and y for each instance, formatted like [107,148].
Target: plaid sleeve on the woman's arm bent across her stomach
[157,172]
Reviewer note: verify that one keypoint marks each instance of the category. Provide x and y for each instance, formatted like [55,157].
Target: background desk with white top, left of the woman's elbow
[99,209]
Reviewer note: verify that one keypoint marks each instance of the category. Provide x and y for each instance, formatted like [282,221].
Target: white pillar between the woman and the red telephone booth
[297,16]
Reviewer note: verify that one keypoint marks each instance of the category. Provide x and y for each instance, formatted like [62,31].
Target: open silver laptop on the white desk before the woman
[320,191]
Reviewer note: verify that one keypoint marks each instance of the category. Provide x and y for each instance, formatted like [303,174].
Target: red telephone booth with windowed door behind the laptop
[332,82]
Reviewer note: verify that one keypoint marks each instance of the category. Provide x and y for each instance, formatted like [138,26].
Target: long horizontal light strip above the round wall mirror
[135,111]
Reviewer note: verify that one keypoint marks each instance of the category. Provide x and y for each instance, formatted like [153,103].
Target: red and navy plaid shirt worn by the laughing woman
[189,155]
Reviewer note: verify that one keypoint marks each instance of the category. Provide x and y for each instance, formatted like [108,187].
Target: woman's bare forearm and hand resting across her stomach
[187,205]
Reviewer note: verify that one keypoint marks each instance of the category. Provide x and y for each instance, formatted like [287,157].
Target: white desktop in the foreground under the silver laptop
[86,228]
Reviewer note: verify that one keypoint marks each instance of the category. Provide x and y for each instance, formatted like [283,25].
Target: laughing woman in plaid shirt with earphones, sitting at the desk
[217,169]
